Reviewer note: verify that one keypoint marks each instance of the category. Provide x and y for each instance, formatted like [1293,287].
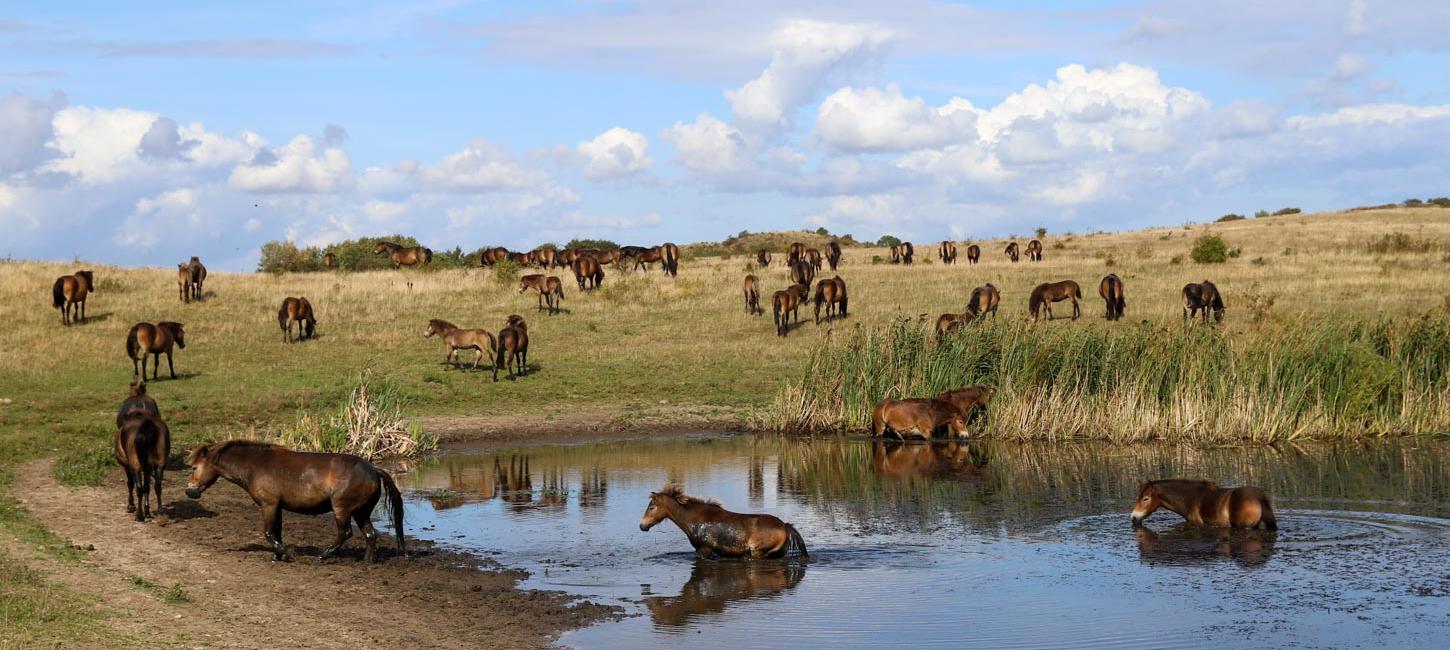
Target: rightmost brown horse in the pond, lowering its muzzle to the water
[1206,504]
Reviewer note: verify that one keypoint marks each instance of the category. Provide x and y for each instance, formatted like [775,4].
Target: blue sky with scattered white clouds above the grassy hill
[146,137]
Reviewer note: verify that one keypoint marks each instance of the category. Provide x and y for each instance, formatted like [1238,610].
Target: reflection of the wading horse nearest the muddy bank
[716,585]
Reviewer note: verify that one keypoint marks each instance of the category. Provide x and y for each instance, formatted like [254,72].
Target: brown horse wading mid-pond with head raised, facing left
[718,533]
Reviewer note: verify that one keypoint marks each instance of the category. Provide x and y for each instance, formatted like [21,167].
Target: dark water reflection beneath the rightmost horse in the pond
[1188,545]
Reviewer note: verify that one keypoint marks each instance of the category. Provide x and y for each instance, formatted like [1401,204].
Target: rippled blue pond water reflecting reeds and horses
[968,546]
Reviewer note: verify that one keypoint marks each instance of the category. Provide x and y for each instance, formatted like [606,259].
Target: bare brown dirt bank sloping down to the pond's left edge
[240,598]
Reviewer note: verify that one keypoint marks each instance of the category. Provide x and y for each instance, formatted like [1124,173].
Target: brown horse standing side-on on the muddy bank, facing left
[311,484]
